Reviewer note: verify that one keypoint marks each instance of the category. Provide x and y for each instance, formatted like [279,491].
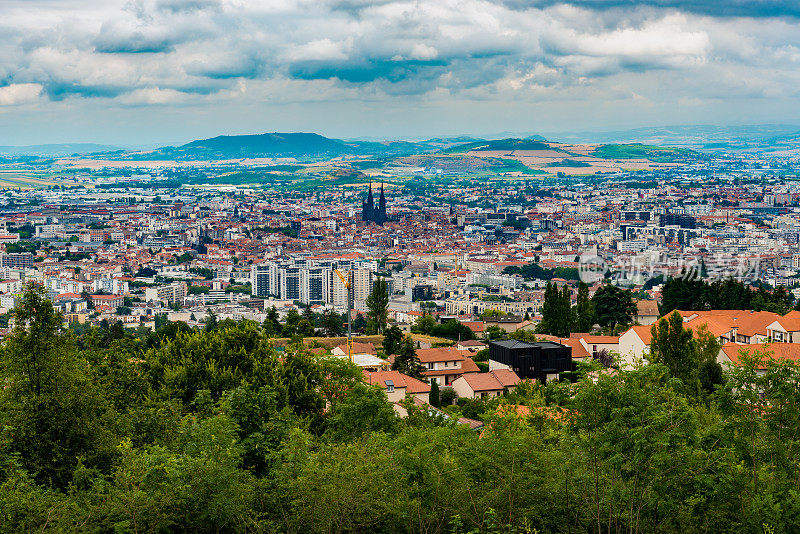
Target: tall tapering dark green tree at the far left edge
[53,406]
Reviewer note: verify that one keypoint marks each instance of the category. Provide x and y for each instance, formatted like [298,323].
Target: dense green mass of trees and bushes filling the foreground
[210,431]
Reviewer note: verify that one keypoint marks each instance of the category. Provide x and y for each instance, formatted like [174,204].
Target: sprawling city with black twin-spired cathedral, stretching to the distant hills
[138,243]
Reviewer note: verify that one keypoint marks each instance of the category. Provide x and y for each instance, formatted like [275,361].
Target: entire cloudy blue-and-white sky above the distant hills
[162,71]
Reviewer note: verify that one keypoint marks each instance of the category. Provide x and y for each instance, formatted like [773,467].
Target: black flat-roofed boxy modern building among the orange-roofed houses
[532,360]
